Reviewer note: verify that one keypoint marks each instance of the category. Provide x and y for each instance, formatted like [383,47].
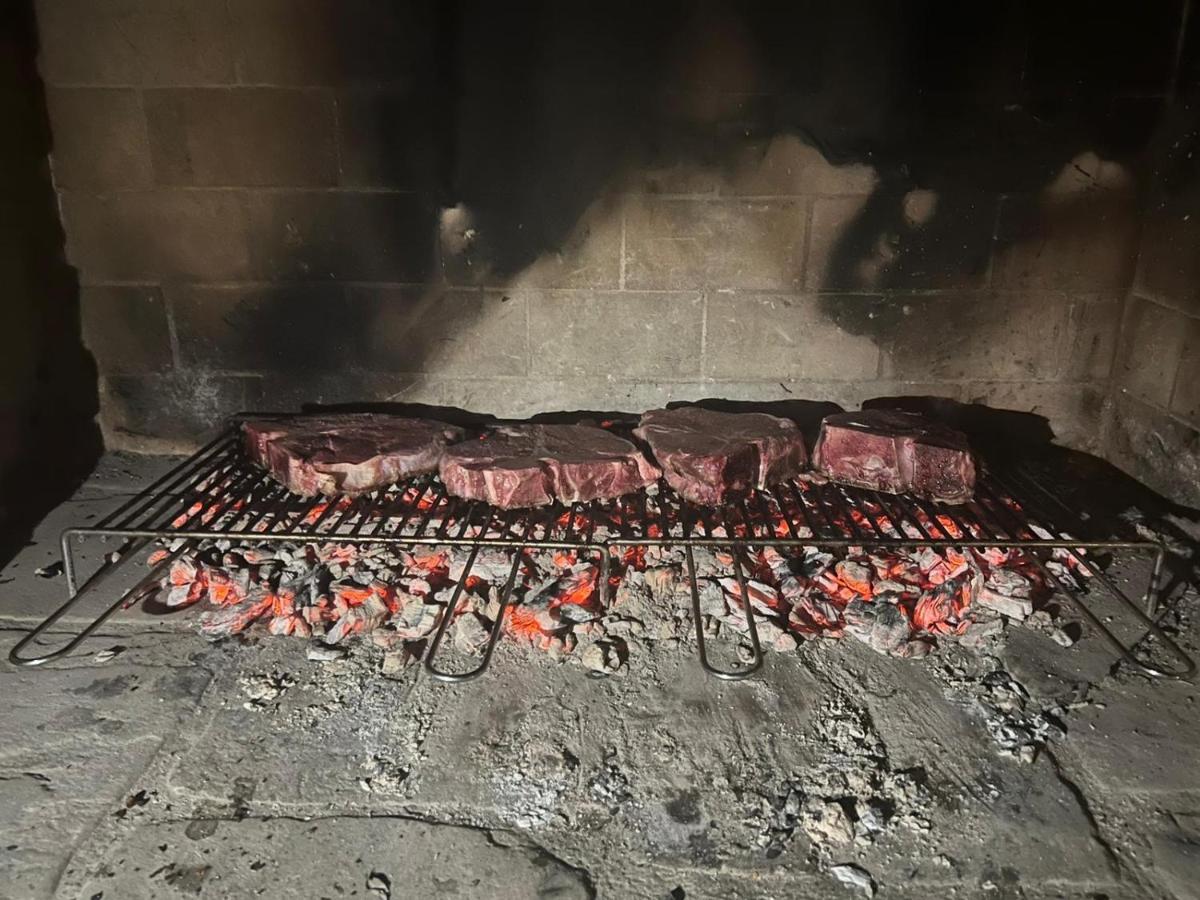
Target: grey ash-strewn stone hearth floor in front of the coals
[155,764]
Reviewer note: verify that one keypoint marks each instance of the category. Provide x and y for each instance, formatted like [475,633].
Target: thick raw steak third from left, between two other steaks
[707,457]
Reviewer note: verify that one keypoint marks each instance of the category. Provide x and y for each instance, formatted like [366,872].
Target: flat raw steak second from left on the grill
[535,465]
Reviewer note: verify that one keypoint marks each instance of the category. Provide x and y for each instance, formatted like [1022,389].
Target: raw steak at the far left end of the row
[346,453]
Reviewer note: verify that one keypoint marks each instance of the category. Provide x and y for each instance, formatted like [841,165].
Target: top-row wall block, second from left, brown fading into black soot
[329,43]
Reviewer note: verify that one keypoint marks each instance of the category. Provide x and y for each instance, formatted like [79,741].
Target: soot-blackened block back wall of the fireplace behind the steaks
[527,207]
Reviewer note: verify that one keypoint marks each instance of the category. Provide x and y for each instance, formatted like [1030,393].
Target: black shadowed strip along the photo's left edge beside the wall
[49,395]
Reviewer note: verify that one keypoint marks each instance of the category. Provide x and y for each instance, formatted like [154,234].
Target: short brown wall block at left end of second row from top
[99,139]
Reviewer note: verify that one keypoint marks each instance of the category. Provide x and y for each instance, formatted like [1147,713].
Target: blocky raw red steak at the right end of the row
[896,452]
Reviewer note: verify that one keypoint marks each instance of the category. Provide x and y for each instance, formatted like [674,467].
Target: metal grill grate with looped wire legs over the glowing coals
[243,499]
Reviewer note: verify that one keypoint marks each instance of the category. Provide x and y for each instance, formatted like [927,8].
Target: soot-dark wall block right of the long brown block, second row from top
[387,139]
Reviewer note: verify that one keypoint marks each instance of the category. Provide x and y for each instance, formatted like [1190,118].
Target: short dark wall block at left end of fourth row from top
[125,329]
